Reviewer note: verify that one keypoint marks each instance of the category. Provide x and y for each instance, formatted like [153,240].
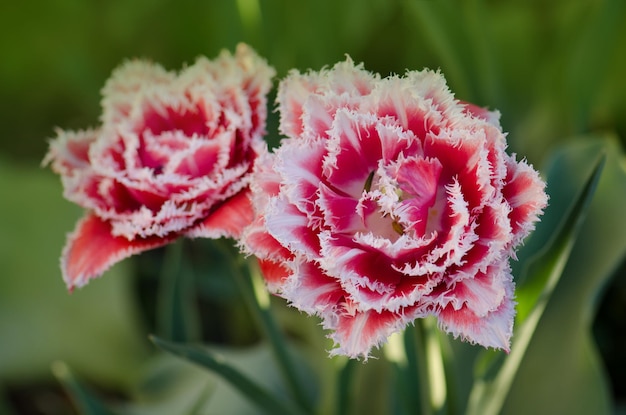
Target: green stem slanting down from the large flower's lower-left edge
[254,293]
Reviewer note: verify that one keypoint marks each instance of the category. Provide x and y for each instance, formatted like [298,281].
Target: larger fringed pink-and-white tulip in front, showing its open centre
[388,201]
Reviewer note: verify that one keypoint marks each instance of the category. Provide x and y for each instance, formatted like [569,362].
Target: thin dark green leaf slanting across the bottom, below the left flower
[264,399]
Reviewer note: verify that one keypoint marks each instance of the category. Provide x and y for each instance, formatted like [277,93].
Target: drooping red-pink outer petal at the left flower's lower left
[91,249]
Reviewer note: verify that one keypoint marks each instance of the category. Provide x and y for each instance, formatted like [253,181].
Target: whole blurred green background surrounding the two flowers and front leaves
[554,69]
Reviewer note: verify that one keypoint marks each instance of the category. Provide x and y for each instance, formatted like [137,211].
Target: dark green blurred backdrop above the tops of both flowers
[554,69]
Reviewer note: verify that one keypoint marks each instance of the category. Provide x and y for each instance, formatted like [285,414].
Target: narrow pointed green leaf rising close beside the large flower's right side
[489,395]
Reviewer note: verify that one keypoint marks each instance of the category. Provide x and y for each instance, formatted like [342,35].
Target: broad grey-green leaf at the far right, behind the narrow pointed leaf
[576,382]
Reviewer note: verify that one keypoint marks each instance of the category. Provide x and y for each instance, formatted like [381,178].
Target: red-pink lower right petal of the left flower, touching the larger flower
[228,220]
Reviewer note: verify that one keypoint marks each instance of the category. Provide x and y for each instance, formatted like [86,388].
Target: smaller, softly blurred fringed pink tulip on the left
[172,158]
